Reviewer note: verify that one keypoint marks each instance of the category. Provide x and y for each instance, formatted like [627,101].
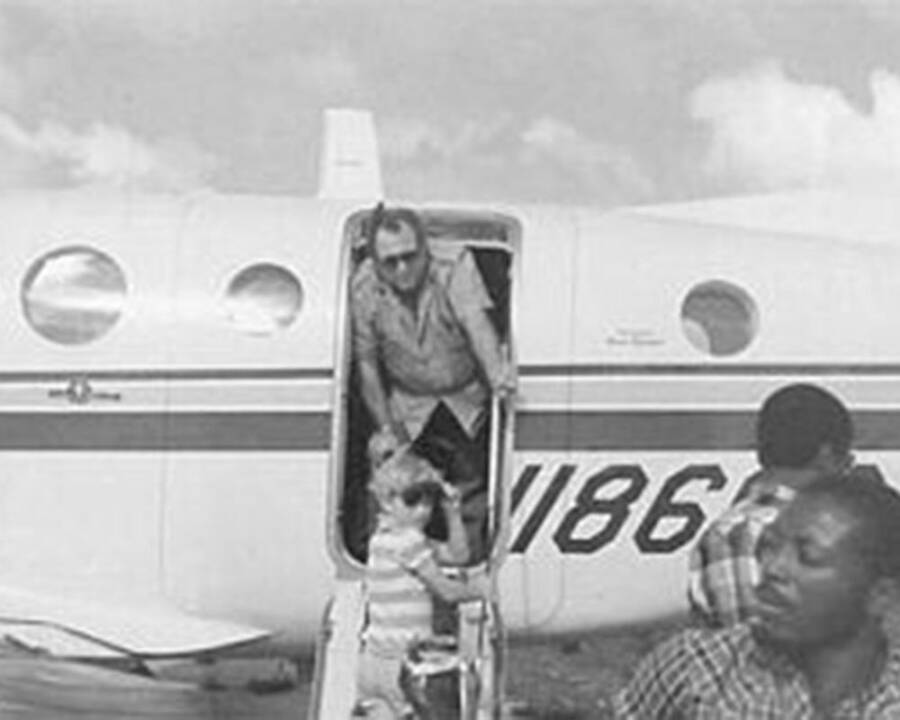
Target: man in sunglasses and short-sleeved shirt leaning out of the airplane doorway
[426,350]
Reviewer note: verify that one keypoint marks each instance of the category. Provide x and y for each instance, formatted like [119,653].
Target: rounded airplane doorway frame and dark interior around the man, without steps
[493,241]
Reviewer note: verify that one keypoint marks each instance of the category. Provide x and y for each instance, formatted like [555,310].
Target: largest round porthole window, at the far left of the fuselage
[73,295]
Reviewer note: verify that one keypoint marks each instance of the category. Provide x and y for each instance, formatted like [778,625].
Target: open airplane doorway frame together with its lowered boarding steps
[474,653]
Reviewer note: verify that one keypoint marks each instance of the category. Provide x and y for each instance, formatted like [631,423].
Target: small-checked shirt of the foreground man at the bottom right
[726,674]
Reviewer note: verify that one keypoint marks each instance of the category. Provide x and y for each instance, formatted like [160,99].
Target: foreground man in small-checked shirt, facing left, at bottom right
[816,646]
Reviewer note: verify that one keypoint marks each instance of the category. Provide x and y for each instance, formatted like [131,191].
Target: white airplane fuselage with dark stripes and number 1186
[208,482]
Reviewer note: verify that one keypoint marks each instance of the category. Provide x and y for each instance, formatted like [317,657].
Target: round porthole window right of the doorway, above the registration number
[719,318]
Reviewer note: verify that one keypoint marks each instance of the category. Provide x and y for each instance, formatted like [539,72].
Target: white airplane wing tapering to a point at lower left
[71,628]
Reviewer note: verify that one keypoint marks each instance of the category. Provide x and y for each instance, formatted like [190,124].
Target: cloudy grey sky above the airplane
[602,101]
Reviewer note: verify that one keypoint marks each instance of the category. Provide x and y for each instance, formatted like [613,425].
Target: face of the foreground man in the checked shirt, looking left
[814,582]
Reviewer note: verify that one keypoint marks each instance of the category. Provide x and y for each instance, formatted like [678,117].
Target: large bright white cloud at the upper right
[769,132]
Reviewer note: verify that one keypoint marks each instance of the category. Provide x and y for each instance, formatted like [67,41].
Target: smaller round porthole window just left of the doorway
[263,298]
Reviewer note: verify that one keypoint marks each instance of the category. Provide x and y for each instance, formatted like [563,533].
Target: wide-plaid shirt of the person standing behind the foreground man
[723,570]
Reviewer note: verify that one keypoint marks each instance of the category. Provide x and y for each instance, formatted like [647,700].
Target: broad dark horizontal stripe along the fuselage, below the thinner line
[299,431]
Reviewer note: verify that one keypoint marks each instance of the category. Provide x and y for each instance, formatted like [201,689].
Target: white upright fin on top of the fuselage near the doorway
[349,163]
